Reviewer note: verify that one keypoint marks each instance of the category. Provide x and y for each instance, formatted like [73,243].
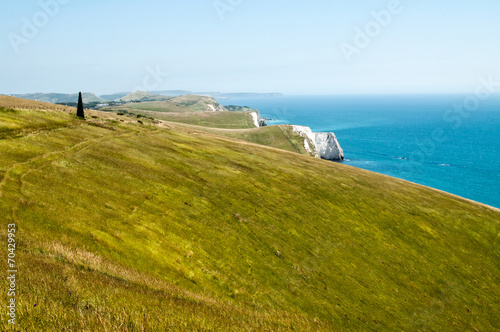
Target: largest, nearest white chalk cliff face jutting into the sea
[321,145]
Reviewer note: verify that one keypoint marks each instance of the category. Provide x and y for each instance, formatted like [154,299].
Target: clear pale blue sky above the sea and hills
[293,47]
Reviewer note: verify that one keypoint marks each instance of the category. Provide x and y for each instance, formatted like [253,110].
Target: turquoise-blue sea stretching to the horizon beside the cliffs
[419,138]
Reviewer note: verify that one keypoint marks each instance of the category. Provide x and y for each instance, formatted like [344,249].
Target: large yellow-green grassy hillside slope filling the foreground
[153,227]
